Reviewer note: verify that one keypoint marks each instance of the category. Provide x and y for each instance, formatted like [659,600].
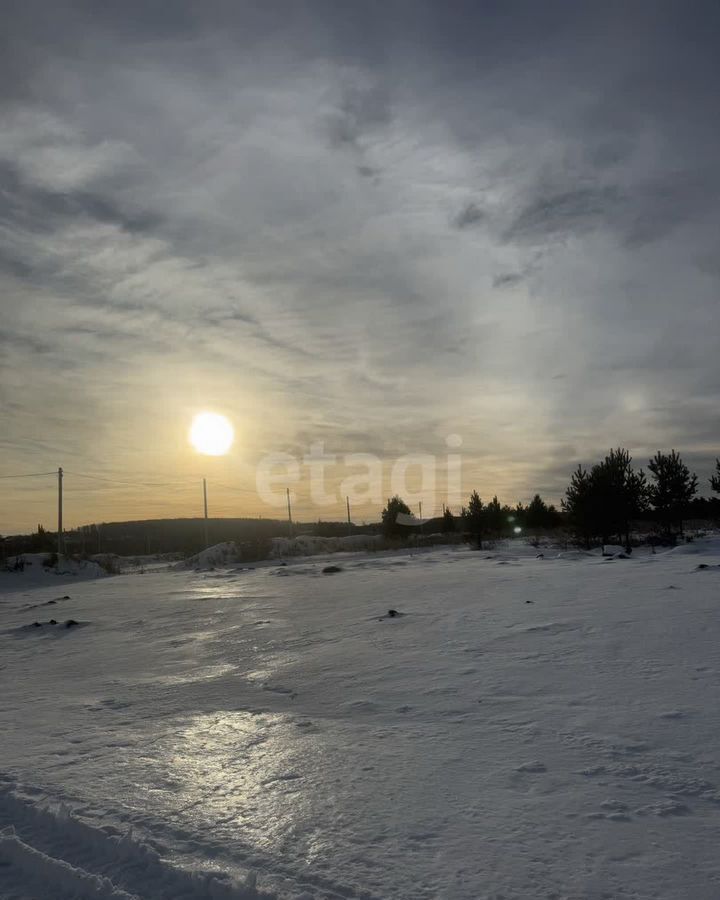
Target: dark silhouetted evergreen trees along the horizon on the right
[600,504]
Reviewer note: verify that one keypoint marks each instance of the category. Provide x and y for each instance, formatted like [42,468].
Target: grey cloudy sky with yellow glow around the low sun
[371,225]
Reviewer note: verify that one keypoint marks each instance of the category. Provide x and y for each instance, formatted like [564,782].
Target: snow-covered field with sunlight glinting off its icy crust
[528,728]
